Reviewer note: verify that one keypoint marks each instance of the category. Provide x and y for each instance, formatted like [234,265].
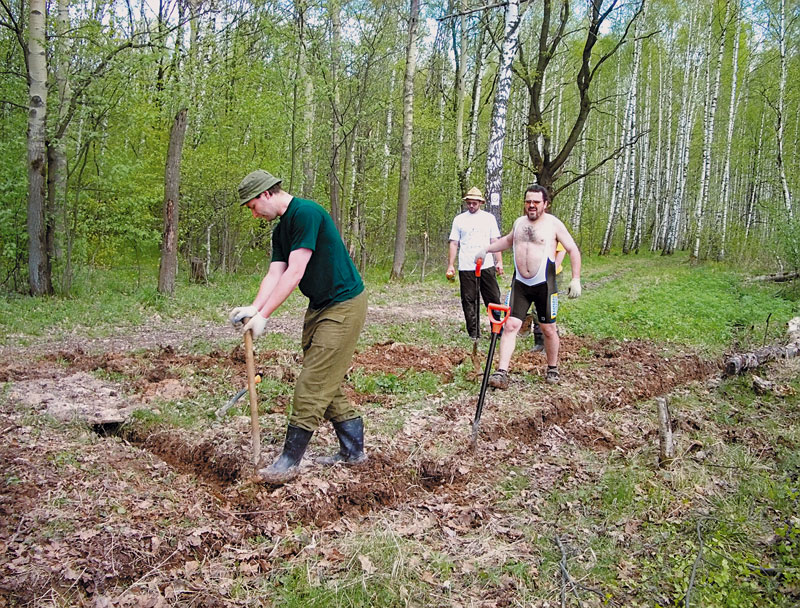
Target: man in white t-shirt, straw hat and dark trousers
[474,230]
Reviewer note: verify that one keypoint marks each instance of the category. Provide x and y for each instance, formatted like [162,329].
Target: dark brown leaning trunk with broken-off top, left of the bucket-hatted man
[168,268]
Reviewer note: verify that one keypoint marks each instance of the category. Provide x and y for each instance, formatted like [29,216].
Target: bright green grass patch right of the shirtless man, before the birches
[647,296]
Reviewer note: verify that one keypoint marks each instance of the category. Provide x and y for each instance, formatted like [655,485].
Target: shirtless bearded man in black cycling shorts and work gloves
[534,238]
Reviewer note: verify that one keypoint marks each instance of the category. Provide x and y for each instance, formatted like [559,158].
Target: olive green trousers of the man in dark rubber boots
[329,340]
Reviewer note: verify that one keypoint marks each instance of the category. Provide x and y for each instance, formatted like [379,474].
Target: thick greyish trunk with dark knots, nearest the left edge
[39,271]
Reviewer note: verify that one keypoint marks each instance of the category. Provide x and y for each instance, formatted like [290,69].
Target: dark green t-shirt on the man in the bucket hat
[330,276]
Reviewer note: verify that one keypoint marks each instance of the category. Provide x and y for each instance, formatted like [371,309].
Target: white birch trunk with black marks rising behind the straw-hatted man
[497,131]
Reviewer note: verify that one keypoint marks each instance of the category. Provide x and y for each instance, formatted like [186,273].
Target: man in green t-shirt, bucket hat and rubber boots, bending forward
[308,252]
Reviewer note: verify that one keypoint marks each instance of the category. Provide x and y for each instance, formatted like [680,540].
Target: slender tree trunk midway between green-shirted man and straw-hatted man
[405,153]
